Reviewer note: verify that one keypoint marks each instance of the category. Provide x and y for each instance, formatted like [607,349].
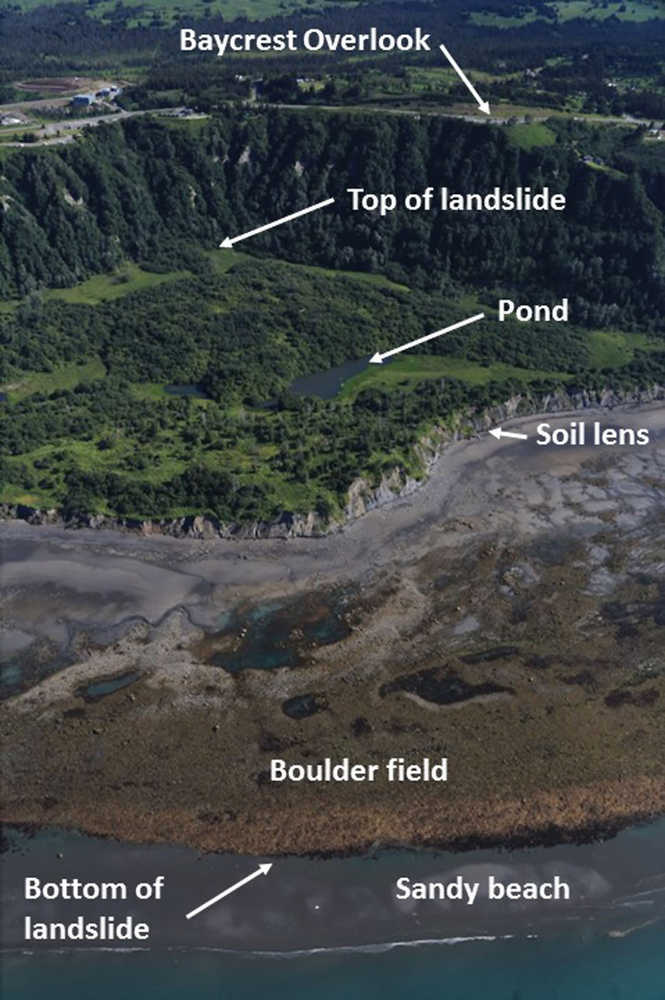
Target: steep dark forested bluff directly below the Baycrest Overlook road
[144,189]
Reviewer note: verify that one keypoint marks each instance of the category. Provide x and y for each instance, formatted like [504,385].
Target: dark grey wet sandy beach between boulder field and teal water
[334,904]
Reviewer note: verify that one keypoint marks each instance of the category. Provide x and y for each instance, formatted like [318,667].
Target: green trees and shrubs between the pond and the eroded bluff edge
[316,446]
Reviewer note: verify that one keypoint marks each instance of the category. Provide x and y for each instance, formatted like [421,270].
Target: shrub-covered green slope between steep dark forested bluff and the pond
[246,334]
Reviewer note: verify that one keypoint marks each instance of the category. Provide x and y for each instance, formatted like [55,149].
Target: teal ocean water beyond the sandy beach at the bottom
[579,966]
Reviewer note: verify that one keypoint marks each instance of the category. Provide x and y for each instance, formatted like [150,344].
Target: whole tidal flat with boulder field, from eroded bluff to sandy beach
[508,616]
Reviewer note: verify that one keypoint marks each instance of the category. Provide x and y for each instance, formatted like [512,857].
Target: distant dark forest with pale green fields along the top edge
[92,34]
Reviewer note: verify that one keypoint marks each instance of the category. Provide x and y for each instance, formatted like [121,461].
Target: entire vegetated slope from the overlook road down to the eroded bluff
[90,422]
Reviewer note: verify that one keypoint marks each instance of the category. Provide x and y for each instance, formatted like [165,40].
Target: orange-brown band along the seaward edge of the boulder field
[266,828]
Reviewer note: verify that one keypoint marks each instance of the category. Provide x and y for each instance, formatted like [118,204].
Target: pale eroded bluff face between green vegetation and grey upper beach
[363,494]
